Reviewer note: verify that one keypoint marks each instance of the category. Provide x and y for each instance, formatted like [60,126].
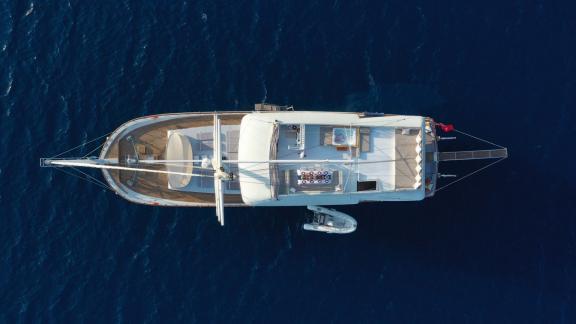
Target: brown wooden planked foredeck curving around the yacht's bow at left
[146,139]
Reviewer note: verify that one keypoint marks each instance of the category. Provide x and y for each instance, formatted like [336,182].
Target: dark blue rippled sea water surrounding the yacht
[498,248]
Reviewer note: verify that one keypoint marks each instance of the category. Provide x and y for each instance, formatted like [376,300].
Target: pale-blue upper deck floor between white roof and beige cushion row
[333,142]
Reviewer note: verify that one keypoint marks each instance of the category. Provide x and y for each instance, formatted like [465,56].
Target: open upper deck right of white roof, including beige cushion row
[392,154]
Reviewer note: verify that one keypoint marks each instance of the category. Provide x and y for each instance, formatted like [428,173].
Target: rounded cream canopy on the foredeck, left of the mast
[178,148]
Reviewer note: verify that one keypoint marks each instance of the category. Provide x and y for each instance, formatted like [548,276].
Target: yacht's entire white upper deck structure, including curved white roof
[331,158]
